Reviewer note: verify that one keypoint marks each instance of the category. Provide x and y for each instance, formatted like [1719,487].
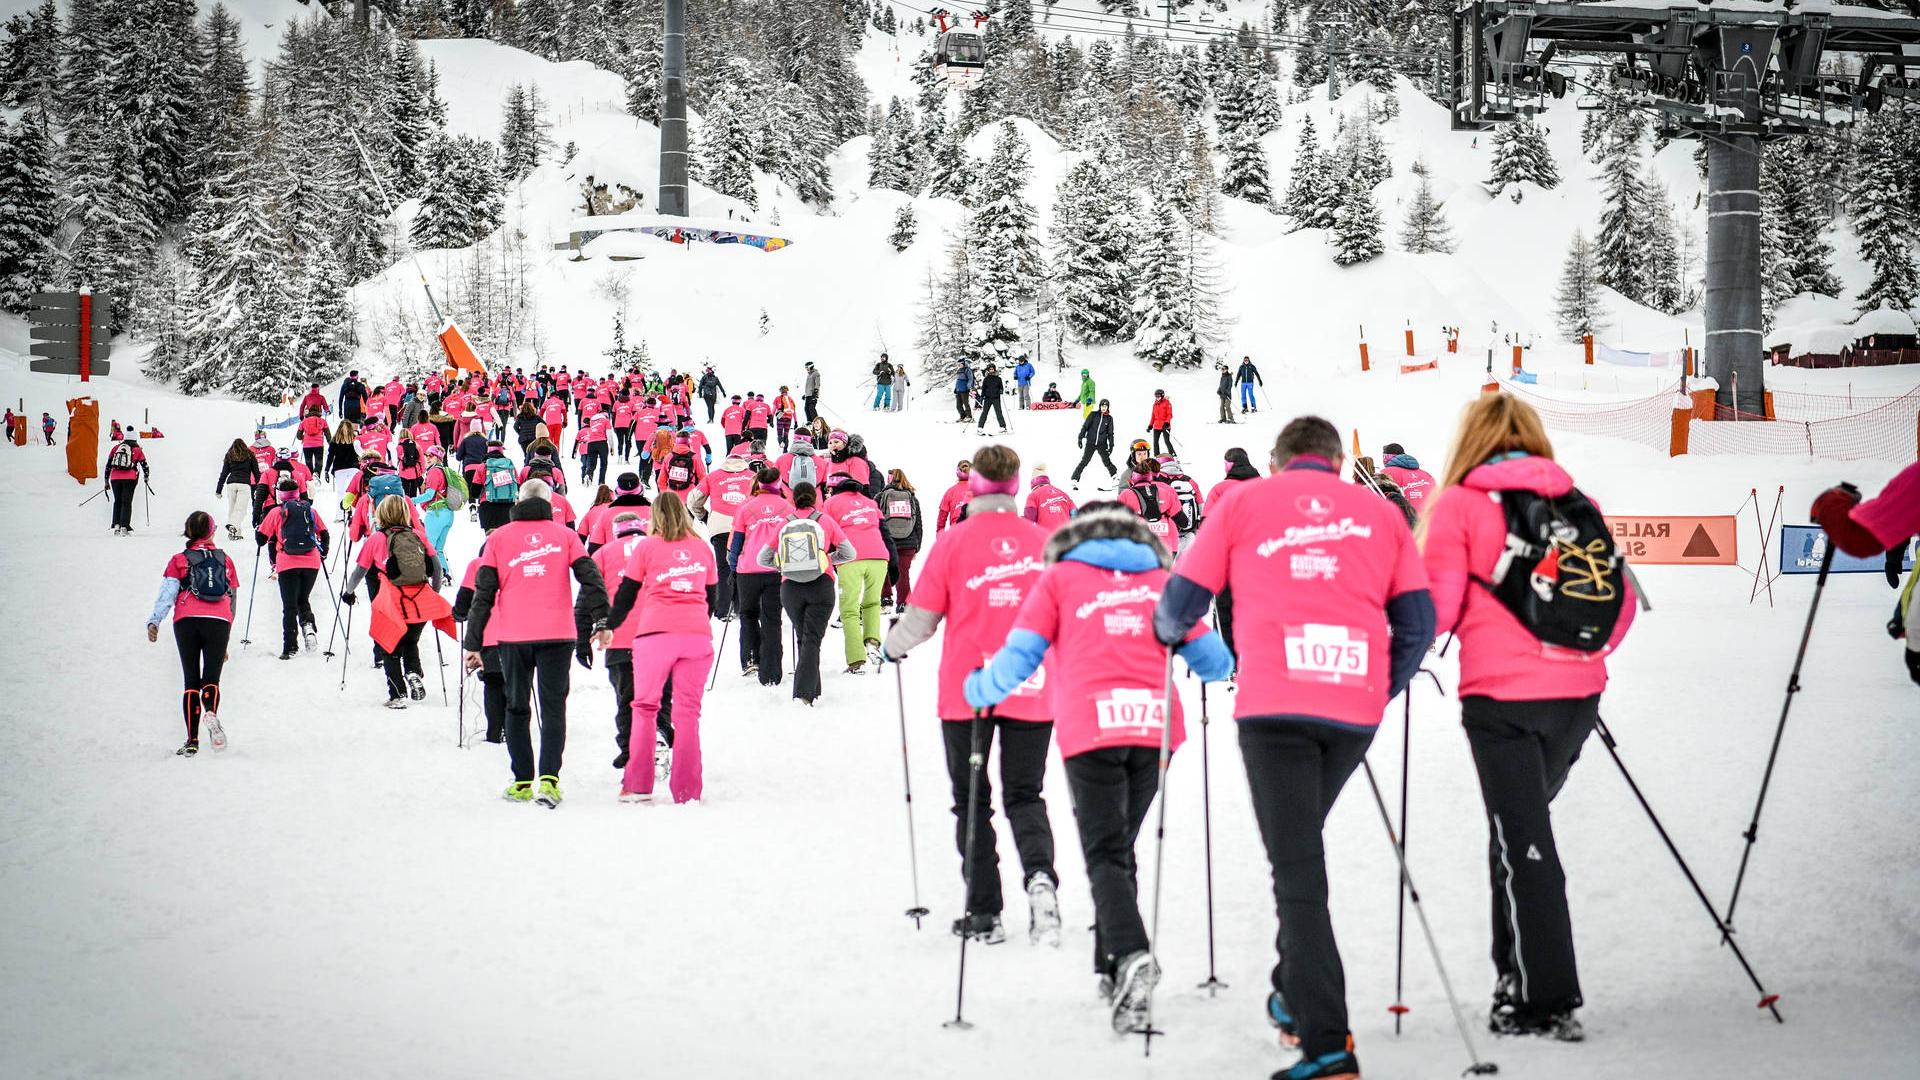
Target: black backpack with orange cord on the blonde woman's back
[1560,576]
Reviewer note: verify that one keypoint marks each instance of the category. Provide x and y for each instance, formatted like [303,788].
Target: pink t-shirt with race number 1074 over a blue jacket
[1109,670]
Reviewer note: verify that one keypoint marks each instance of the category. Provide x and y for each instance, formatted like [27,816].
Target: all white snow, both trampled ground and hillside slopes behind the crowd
[345,893]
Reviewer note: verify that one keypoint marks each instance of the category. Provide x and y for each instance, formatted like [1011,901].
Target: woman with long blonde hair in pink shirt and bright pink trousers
[667,577]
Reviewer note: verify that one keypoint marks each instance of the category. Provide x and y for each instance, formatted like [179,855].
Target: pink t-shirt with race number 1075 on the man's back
[1322,558]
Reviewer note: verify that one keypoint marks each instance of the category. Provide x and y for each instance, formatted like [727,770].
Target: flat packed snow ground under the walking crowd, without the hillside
[345,891]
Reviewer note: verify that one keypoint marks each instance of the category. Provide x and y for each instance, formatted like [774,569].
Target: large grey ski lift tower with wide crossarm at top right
[1731,74]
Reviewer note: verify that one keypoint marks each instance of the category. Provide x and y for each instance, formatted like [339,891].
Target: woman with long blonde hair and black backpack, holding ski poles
[1527,706]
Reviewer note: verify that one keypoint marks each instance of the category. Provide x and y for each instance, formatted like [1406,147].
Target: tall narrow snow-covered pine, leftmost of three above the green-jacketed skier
[1005,239]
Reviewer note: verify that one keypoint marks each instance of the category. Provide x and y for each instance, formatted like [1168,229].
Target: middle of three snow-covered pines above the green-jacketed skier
[1093,235]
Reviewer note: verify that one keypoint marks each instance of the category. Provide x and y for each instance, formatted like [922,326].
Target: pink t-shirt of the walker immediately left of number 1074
[978,576]
